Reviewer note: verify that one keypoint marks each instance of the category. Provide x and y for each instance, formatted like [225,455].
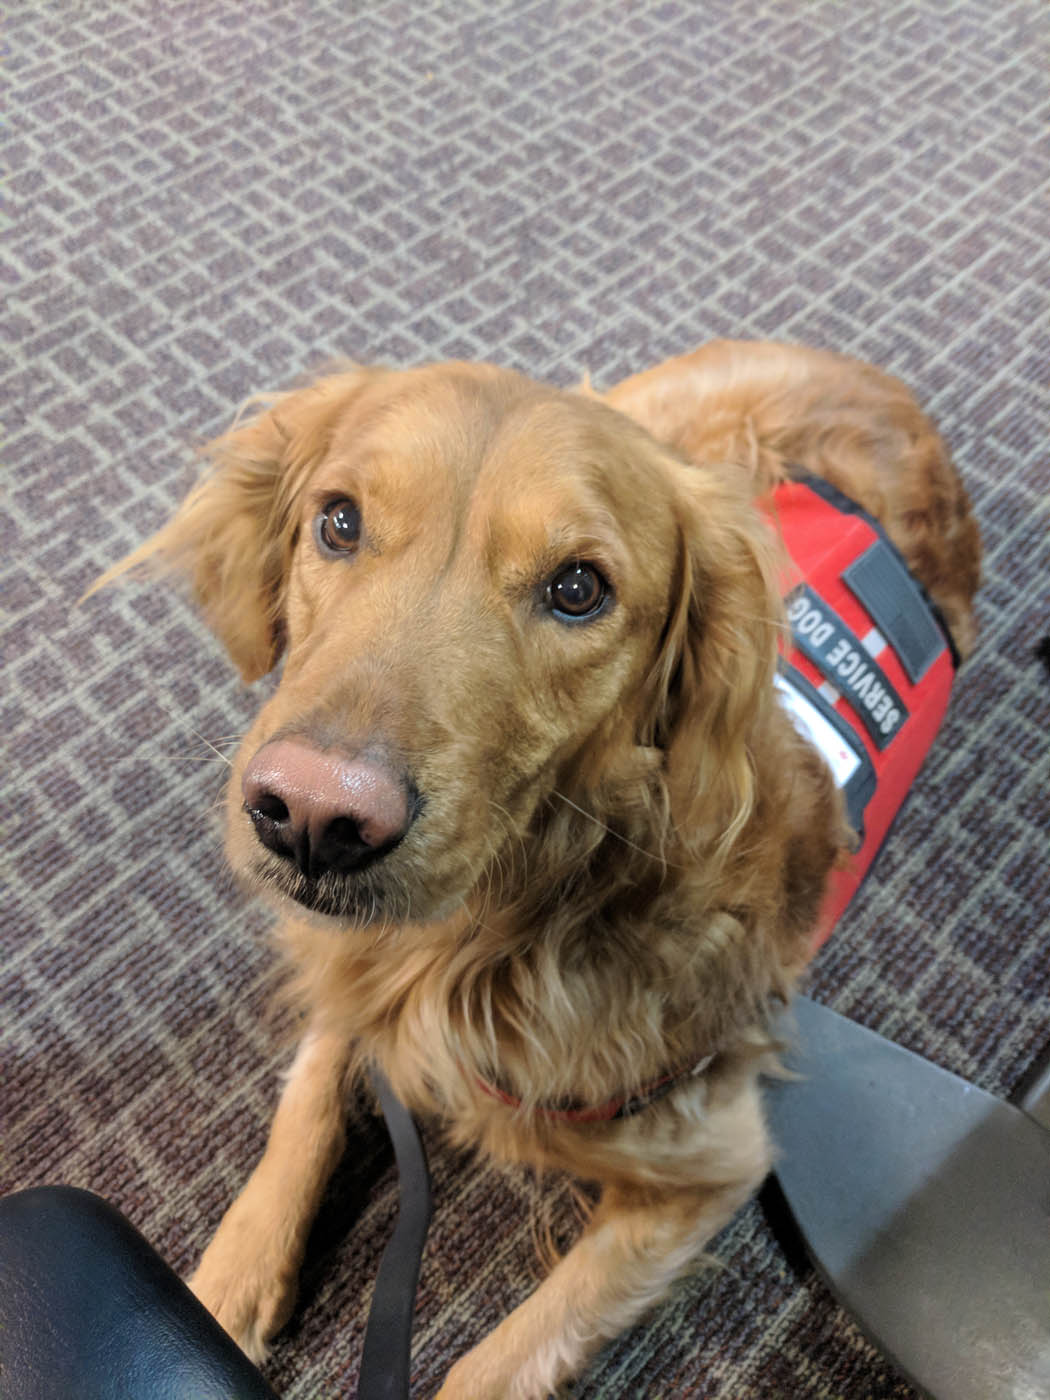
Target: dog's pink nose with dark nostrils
[323,810]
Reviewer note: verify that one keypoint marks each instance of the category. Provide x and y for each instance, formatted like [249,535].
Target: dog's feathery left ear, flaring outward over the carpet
[234,534]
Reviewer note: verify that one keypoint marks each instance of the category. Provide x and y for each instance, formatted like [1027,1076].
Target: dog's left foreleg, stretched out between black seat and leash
[248,1275]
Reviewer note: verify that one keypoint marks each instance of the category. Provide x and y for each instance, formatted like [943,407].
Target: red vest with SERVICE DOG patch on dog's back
[870,668]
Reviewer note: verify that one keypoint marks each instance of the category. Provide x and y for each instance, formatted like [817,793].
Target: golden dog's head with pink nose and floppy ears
[492,598]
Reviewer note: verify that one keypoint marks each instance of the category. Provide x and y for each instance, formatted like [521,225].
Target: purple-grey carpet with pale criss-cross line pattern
[206,198]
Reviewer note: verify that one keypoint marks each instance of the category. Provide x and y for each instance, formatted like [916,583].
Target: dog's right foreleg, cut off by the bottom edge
[635,1247]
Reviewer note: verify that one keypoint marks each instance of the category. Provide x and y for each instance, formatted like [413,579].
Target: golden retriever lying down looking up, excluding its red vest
[544,843]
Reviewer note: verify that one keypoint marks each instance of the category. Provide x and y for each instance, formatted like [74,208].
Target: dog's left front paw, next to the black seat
[247,1287]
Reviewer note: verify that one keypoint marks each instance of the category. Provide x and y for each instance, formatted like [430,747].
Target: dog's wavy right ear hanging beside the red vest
[713,682]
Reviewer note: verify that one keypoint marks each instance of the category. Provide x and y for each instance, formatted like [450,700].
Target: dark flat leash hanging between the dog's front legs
[387,1353]
